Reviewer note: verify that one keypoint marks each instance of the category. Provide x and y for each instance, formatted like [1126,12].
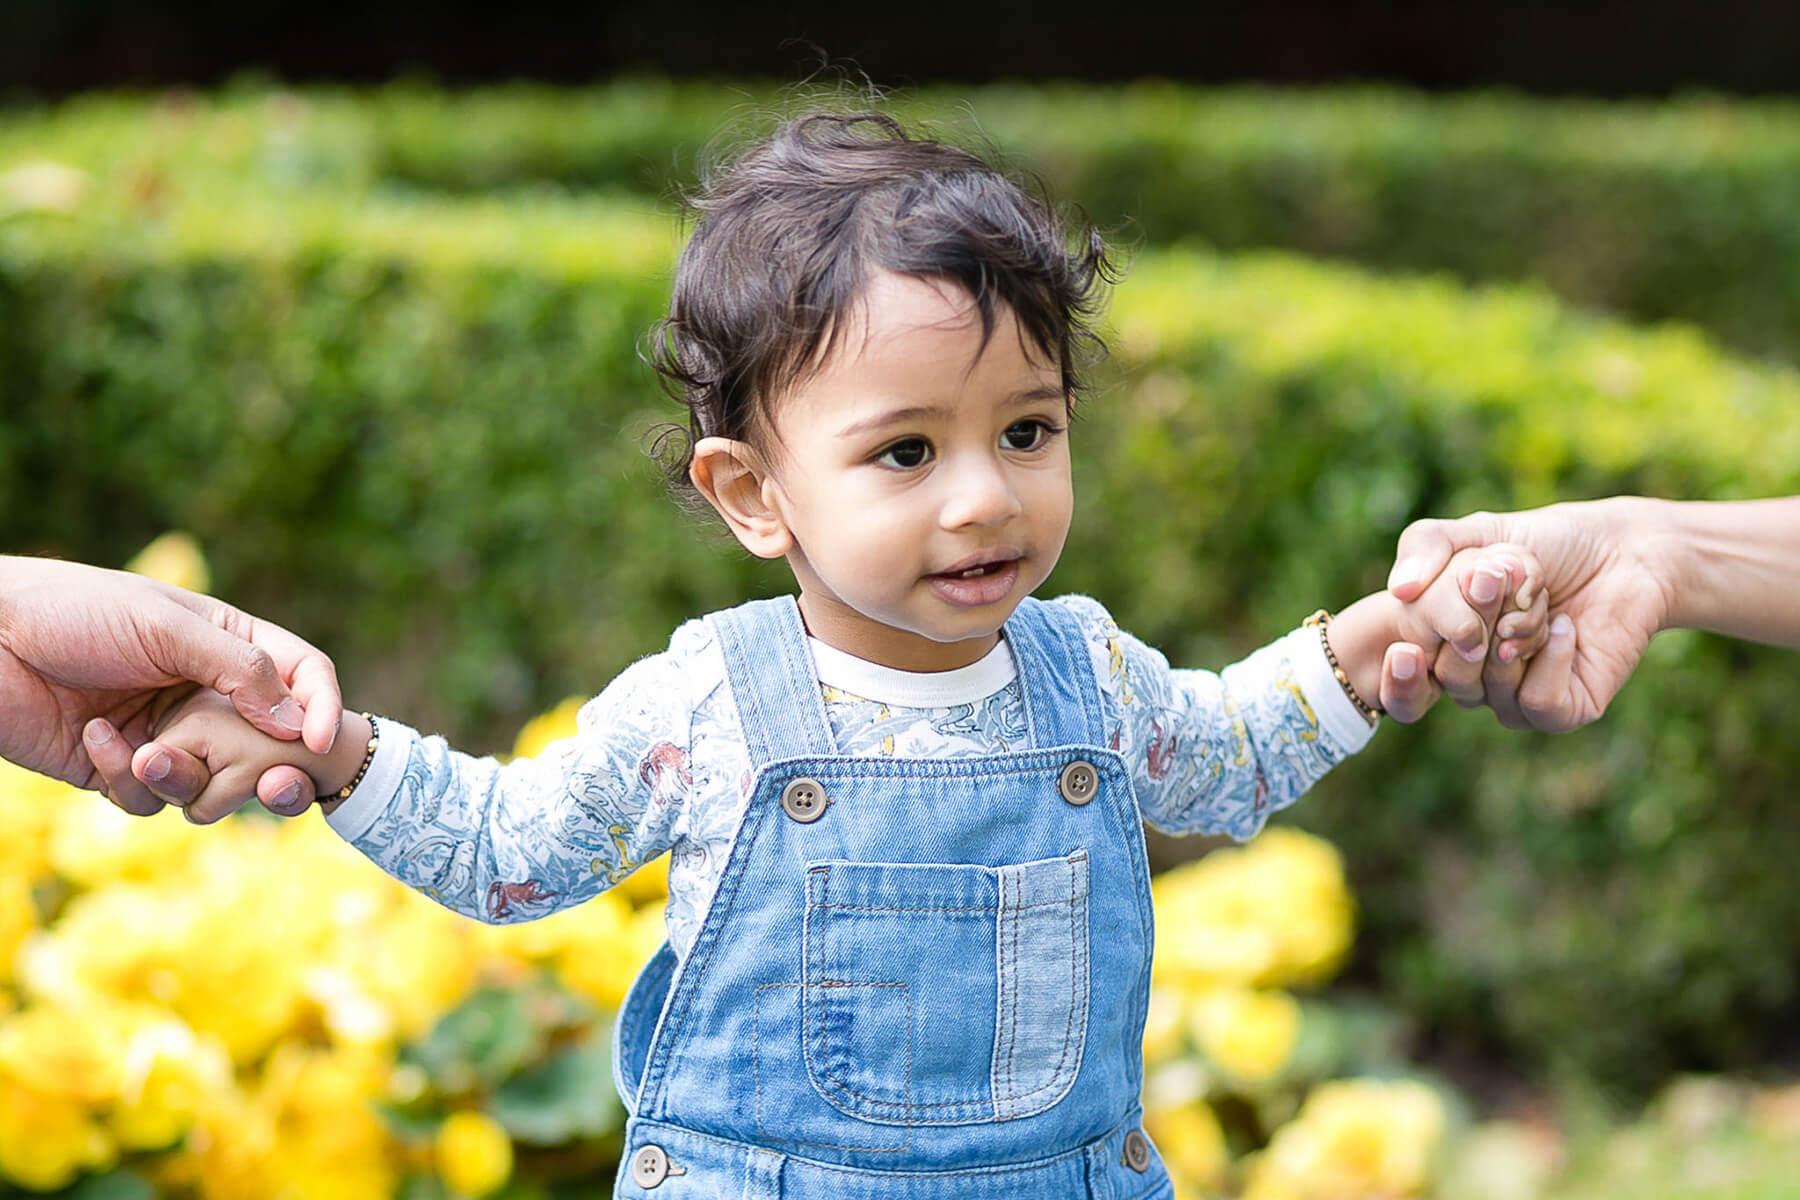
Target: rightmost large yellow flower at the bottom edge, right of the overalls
[1353,1140]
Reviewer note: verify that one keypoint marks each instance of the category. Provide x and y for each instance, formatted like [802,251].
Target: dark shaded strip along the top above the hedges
[1608,48]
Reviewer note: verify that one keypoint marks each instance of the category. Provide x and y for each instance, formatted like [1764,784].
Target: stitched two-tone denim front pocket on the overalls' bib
[942,994]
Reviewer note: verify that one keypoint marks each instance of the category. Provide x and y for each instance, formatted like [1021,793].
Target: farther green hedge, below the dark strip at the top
[1677,210]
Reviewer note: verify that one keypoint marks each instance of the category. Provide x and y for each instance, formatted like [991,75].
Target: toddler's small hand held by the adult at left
[235,753]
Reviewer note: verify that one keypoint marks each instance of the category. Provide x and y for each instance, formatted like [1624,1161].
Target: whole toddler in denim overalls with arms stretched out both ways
[910,917]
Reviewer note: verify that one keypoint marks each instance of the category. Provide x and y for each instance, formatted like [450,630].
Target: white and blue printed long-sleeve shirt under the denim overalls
[660,764]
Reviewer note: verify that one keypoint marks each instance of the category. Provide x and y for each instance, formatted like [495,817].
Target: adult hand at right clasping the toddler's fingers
[1608,600]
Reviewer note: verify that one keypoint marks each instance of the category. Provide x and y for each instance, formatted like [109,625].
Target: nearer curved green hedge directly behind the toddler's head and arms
[409,429]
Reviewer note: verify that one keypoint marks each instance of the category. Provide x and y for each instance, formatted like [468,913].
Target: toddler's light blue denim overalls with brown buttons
[921,980]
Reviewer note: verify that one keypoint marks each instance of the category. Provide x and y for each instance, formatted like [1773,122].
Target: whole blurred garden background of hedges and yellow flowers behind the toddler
[337,312]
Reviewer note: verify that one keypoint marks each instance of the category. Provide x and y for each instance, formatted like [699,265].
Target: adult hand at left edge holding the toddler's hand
[85,654]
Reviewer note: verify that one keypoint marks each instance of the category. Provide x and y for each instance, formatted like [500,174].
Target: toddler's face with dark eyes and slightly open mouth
[922,478]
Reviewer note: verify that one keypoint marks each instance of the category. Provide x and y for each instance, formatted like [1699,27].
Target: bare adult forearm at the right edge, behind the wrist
[1731,568]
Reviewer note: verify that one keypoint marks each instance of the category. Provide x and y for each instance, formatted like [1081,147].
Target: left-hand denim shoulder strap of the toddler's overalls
[773,681]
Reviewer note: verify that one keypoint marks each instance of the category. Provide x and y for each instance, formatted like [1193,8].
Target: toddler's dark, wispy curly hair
[789,235]
